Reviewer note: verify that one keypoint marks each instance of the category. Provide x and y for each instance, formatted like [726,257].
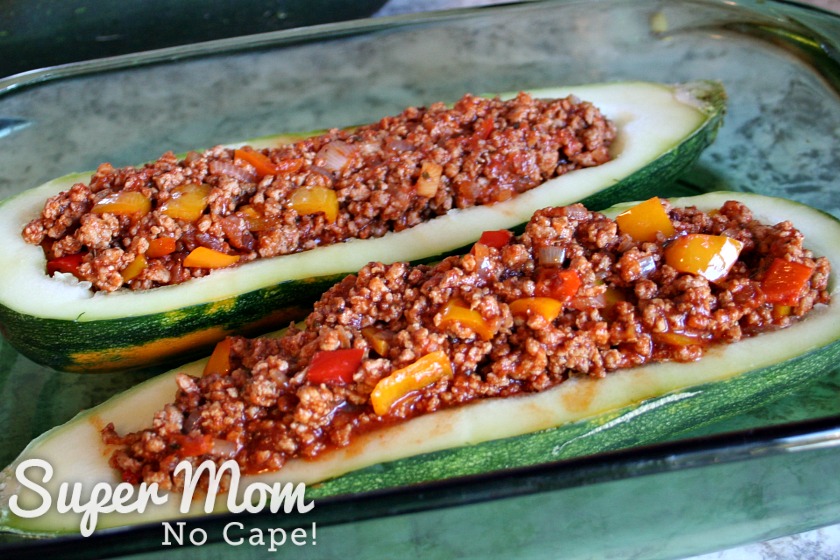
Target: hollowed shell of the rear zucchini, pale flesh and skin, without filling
[661,131]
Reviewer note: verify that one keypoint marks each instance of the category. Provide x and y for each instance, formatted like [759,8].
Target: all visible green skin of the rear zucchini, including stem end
[142,341]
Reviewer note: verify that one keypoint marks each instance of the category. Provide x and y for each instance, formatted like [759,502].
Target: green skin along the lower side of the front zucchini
[645,423]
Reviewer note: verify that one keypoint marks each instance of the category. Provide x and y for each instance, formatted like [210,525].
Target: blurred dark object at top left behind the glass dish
[40,33]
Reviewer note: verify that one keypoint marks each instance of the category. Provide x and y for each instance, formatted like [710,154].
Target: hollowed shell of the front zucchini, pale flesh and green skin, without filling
[579,417]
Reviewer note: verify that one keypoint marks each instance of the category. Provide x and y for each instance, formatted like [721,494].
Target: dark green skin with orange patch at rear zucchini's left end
[145,341]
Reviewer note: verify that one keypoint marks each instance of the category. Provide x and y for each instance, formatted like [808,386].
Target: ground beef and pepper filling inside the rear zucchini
[344,184]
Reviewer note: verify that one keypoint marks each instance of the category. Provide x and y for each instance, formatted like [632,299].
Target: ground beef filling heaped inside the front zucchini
[627,307]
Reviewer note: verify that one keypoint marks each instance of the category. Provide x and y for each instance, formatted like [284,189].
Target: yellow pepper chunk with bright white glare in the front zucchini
[710,256]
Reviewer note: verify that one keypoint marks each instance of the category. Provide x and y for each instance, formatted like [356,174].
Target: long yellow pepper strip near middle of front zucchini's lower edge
[429,369]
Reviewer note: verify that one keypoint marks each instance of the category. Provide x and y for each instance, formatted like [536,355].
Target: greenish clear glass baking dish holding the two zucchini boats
[748,478]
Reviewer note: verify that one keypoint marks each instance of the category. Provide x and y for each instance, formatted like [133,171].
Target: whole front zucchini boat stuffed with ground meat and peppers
[583,334]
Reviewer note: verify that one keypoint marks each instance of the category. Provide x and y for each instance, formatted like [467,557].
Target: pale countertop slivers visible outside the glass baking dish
[819,544]
